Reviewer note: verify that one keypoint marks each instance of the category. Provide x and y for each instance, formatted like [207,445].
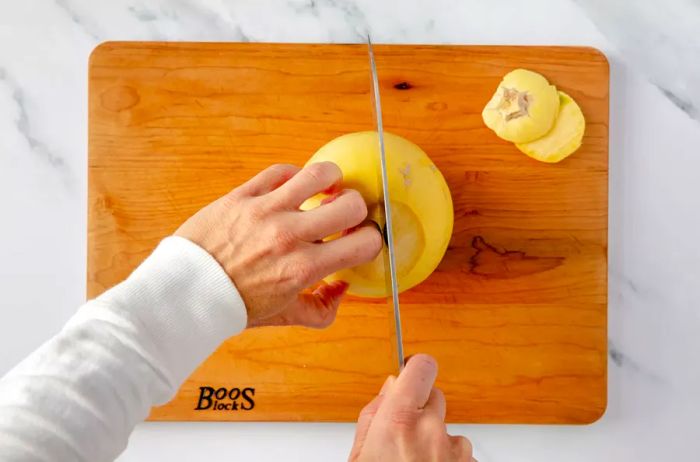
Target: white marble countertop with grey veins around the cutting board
[654,254]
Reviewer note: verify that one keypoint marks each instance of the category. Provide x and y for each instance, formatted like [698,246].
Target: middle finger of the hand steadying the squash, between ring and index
[342,211]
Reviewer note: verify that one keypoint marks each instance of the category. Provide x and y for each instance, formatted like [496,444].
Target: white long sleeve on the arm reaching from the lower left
[79,396]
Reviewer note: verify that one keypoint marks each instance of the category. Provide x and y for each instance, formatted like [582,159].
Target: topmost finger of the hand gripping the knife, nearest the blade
[415,383]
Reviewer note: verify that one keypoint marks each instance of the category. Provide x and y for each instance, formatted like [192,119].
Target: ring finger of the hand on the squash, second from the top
[311,180]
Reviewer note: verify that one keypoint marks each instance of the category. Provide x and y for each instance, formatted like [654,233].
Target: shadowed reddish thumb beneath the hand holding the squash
[317,309]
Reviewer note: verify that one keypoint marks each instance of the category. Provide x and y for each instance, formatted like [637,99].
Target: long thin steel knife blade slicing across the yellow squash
[389,255]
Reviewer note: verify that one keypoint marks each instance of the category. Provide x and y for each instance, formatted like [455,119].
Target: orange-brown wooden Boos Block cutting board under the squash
[515,313]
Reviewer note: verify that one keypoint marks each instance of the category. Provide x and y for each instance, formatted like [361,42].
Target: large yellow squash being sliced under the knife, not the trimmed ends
[421,205]
